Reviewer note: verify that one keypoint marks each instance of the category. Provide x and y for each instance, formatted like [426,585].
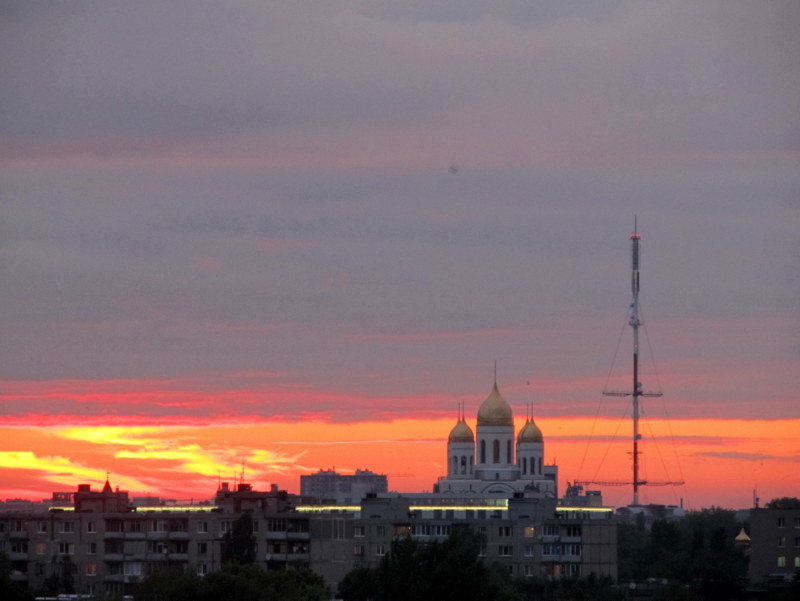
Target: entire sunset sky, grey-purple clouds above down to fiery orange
[273,238]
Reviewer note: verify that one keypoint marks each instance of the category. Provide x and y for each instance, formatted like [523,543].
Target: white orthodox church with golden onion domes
[498,463]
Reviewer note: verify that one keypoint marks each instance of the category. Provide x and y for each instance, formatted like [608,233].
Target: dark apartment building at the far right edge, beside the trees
[774,544]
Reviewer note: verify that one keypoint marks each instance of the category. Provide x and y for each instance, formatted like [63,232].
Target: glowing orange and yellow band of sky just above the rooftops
[722,461]
